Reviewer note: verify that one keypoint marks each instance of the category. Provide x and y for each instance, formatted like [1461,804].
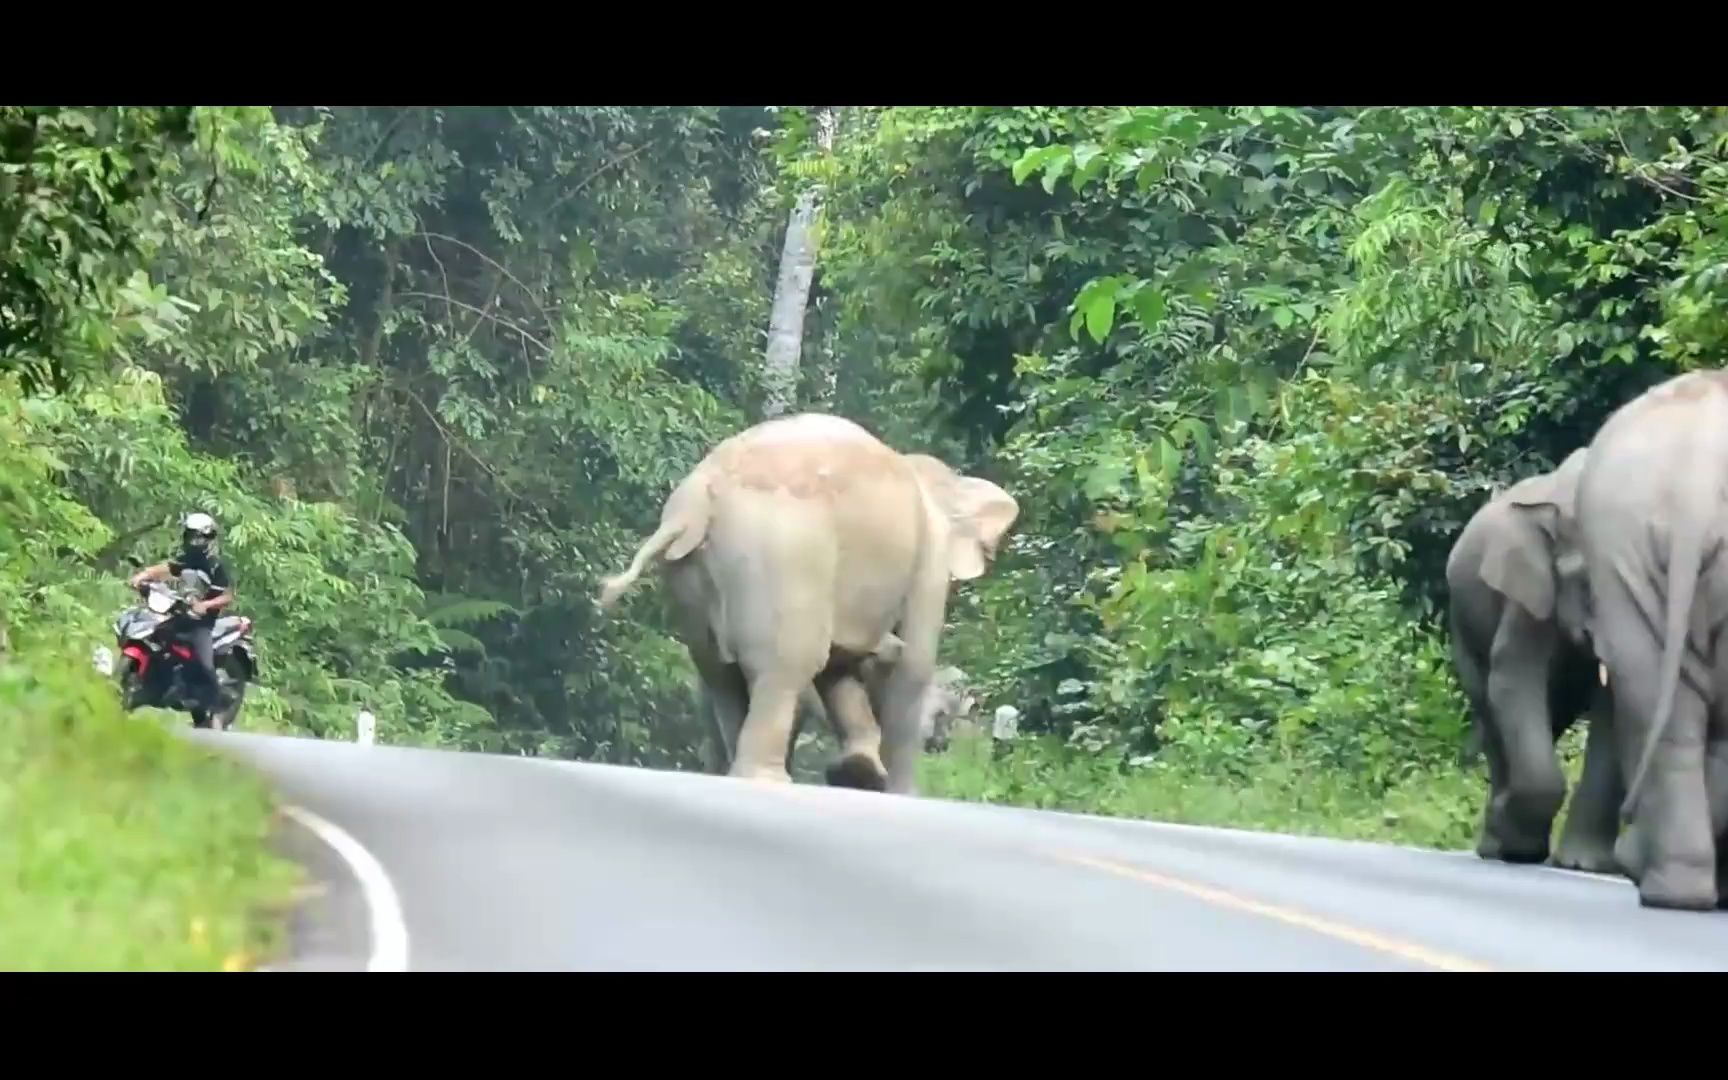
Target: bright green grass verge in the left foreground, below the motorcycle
[125,848]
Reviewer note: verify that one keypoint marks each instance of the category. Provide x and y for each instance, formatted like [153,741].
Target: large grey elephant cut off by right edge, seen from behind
[1653,524]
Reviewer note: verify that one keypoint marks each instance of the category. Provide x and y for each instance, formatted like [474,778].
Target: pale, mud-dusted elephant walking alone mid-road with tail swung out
[792,552]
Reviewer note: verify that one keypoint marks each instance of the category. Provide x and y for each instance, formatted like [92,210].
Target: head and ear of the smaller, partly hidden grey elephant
[1537,564]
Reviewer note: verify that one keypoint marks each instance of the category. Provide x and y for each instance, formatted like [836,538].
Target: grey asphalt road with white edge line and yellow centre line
[438,861]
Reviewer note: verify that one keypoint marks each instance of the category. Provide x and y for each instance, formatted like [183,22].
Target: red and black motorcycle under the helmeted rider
[160,671]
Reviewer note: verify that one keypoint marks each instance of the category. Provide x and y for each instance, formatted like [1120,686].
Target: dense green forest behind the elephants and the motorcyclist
[1248,371]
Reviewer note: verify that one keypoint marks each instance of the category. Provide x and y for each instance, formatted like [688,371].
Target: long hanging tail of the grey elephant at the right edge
[1696,514]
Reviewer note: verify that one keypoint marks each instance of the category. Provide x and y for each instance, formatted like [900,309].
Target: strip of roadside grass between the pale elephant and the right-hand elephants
[1430,808]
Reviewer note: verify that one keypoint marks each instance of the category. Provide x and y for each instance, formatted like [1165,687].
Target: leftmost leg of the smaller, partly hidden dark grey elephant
[1522,815]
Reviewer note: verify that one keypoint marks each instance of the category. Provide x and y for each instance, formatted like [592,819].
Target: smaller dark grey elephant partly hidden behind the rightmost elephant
[1518,619]
